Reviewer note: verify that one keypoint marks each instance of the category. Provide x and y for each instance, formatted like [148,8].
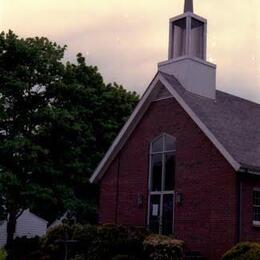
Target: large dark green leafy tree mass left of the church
[56,121]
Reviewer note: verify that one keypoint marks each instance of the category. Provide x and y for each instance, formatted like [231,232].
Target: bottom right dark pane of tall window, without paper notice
[167,218]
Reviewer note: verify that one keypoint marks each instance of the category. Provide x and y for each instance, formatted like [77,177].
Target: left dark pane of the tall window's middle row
[156,172]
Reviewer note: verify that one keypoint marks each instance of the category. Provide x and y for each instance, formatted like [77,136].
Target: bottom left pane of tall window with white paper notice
[154,220]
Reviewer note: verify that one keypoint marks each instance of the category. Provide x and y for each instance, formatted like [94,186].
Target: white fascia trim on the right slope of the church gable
[201,125]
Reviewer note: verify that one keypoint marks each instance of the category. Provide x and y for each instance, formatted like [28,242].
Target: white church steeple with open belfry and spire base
[187,53]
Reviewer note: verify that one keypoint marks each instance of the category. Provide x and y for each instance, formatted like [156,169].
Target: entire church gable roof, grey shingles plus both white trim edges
[231,123]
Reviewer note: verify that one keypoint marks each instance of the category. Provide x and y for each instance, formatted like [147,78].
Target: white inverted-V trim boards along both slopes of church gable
[136,116]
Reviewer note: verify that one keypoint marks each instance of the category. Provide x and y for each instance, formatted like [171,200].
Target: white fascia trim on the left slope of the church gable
[98,173]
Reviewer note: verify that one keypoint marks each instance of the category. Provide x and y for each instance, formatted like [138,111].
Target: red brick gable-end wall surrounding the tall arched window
[207,219]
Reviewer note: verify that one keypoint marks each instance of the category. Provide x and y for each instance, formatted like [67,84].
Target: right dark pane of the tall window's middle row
[169,171]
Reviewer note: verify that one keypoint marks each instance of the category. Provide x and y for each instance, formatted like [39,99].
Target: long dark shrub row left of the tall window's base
[94,242]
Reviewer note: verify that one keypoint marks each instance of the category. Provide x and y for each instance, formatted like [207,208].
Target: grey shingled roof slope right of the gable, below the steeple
[235,122]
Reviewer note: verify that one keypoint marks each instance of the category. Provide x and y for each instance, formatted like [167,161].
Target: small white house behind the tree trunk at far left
[28,224]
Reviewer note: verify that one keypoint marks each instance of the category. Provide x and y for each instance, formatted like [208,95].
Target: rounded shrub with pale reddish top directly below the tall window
[158,247]
